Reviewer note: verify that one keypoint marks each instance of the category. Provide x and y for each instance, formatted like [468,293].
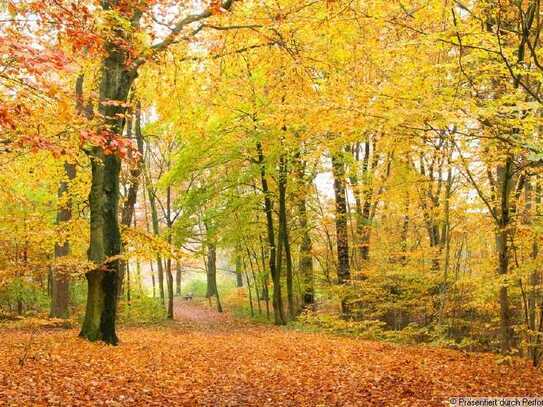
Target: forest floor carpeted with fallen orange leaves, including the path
[205,358]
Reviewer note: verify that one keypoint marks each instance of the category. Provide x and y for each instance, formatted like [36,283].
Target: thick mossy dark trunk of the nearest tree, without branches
[105,238]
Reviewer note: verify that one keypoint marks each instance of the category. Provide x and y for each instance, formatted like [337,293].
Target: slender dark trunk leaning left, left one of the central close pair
[275,271]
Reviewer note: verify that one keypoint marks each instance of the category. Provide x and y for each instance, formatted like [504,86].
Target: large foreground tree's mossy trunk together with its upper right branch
[118,73]
